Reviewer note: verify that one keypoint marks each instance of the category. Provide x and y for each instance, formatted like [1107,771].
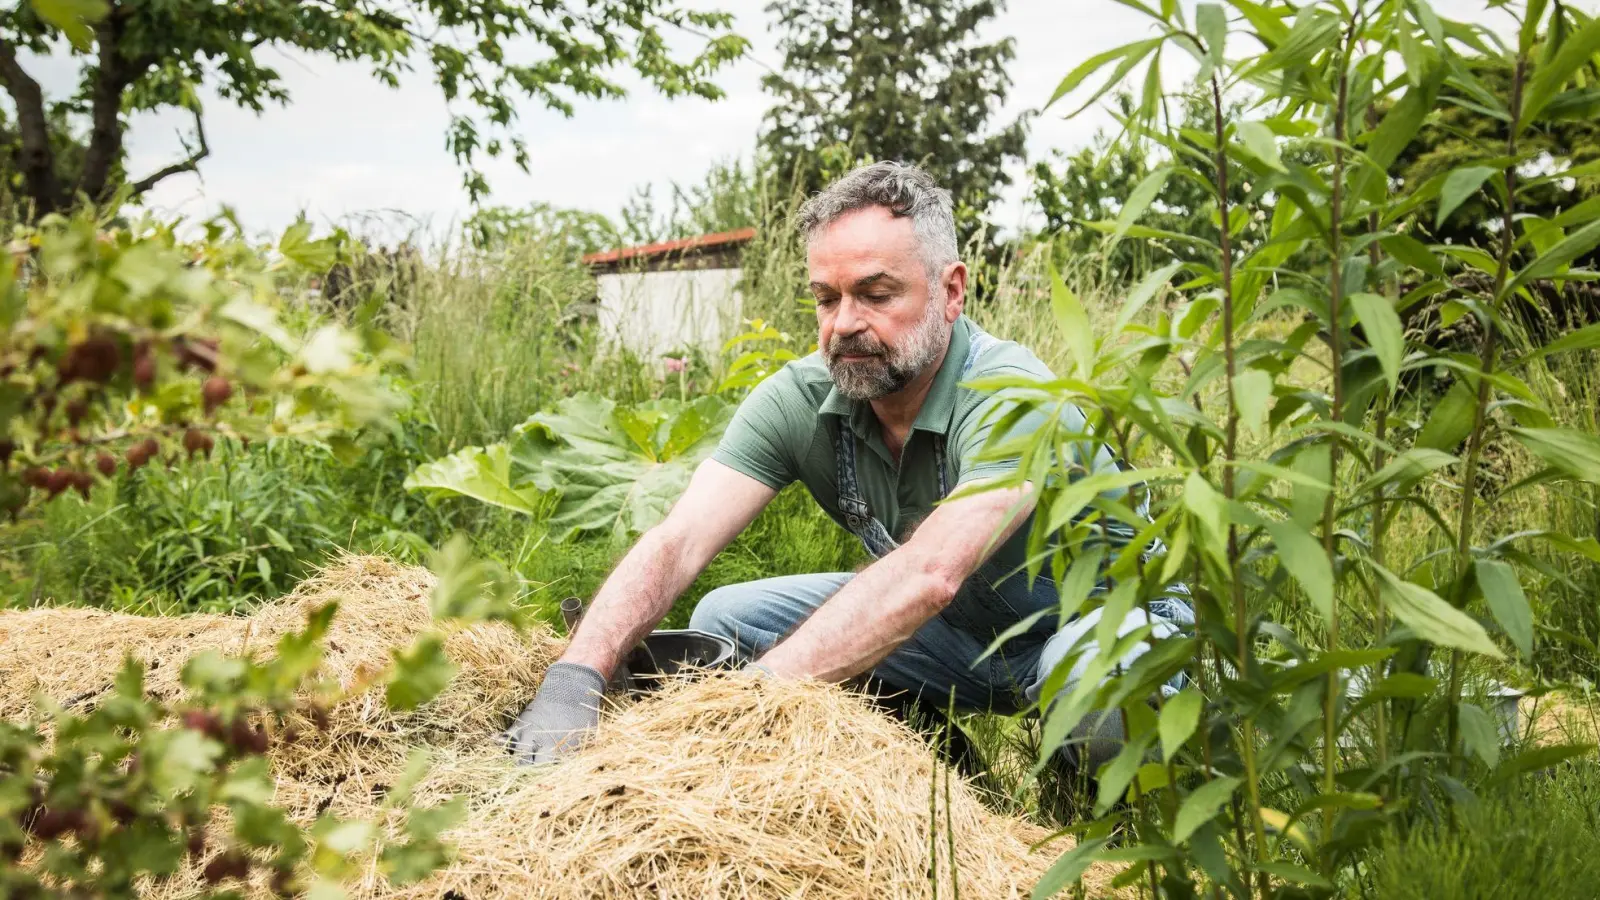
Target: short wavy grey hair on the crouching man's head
[905,191]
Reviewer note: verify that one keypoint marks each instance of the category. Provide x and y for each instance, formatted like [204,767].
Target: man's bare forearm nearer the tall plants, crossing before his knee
[889,601]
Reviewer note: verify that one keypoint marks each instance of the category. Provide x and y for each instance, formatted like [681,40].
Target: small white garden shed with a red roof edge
[676,295]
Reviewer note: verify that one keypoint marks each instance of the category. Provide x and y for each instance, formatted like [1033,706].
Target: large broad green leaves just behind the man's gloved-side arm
[607,467]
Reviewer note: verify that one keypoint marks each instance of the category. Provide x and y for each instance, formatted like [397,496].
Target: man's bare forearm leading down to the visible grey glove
[718,505]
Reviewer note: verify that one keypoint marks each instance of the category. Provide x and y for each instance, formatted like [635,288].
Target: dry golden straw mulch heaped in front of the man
[726,787]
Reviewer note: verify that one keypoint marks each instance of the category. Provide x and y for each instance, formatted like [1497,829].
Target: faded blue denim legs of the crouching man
[934,664]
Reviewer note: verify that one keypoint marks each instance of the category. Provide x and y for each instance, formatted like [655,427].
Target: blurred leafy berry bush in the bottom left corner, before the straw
[98,805]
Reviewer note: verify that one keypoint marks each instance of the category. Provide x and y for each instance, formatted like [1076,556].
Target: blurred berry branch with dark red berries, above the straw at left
[127,345]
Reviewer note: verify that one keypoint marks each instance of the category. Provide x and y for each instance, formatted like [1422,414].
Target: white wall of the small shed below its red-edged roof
[657,313]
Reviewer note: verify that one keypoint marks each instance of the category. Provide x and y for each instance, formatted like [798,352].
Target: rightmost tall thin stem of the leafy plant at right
[1490,350]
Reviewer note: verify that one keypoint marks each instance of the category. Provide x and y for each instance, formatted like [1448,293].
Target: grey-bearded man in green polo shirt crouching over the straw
[881,430]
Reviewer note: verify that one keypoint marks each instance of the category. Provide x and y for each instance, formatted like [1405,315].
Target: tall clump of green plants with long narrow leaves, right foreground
[1279,465]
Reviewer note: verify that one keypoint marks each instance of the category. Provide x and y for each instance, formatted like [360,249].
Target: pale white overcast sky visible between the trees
[346,145]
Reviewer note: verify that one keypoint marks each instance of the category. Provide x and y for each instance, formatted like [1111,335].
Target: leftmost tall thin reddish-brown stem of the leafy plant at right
[1230,454]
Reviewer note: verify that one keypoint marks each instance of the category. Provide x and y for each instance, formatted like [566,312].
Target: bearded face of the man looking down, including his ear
[881,323]
